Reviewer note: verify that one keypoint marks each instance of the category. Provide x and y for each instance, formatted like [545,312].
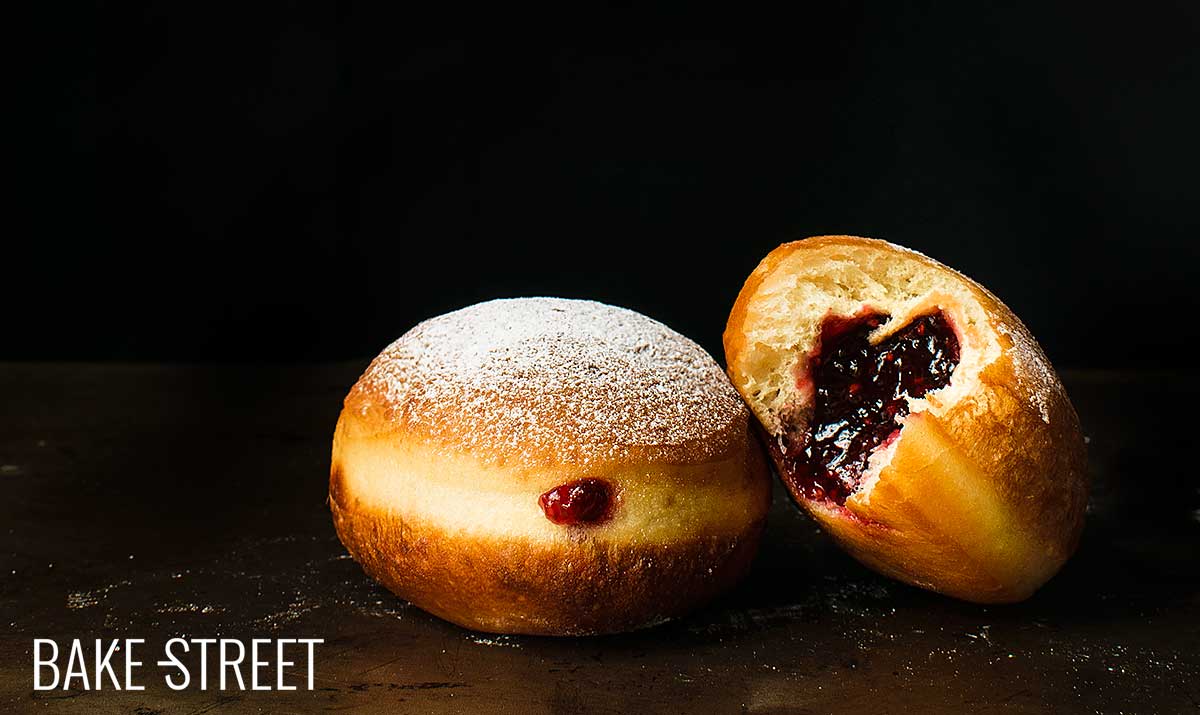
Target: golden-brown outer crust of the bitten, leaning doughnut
[985,491]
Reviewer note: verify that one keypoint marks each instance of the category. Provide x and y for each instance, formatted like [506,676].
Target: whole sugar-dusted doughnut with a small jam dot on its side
[548,466]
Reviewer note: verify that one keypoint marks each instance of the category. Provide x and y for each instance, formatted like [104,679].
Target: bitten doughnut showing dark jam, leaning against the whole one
[913,414]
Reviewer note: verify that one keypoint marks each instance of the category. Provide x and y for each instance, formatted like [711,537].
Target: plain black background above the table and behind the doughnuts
[286,184]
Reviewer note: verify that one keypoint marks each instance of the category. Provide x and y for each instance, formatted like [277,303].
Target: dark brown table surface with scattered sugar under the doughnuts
[153,502]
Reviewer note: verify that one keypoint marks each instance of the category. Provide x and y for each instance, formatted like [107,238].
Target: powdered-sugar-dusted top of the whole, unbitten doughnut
[542,378]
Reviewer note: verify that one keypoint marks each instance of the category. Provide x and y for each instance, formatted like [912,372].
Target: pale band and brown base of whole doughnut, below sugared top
[518,574]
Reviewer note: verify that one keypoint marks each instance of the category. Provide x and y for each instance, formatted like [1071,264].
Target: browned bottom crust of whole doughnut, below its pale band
[515,585]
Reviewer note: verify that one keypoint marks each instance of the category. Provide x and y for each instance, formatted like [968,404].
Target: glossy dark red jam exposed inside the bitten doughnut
[860,394]
